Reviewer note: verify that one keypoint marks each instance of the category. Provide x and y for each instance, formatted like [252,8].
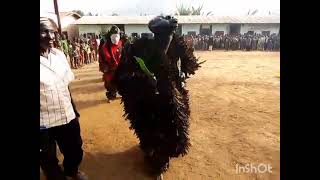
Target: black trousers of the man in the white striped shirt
[70,144]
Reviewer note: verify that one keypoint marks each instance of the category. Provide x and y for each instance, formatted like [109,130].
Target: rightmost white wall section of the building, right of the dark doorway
[258,28]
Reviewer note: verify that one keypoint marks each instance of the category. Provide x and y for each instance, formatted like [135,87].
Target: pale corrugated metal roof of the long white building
[181,19]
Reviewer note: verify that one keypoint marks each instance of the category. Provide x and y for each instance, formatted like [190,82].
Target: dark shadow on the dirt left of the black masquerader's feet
[127,165]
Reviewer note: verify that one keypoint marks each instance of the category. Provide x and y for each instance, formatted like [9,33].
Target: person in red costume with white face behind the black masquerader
[109,58]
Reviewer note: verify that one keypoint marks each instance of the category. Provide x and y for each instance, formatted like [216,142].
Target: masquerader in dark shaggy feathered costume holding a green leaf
[151,86]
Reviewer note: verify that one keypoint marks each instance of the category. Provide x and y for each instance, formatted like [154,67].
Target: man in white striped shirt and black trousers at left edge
[59,123]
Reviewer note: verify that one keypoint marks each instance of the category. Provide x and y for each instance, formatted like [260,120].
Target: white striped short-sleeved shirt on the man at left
[55,102]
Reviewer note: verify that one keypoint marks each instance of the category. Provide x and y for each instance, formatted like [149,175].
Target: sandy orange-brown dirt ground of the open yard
[235,119]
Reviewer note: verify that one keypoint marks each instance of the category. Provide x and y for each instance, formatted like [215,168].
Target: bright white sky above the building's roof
[155,7]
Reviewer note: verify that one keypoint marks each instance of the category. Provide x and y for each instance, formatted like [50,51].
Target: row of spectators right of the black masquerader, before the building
[245,42]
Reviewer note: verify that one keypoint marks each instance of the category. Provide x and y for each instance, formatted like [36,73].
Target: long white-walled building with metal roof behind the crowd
[187,24]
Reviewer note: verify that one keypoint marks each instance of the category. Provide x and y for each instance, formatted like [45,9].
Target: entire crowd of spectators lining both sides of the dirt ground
[84,49]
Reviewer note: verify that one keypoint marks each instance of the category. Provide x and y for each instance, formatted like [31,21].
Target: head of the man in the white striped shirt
[47,33]
